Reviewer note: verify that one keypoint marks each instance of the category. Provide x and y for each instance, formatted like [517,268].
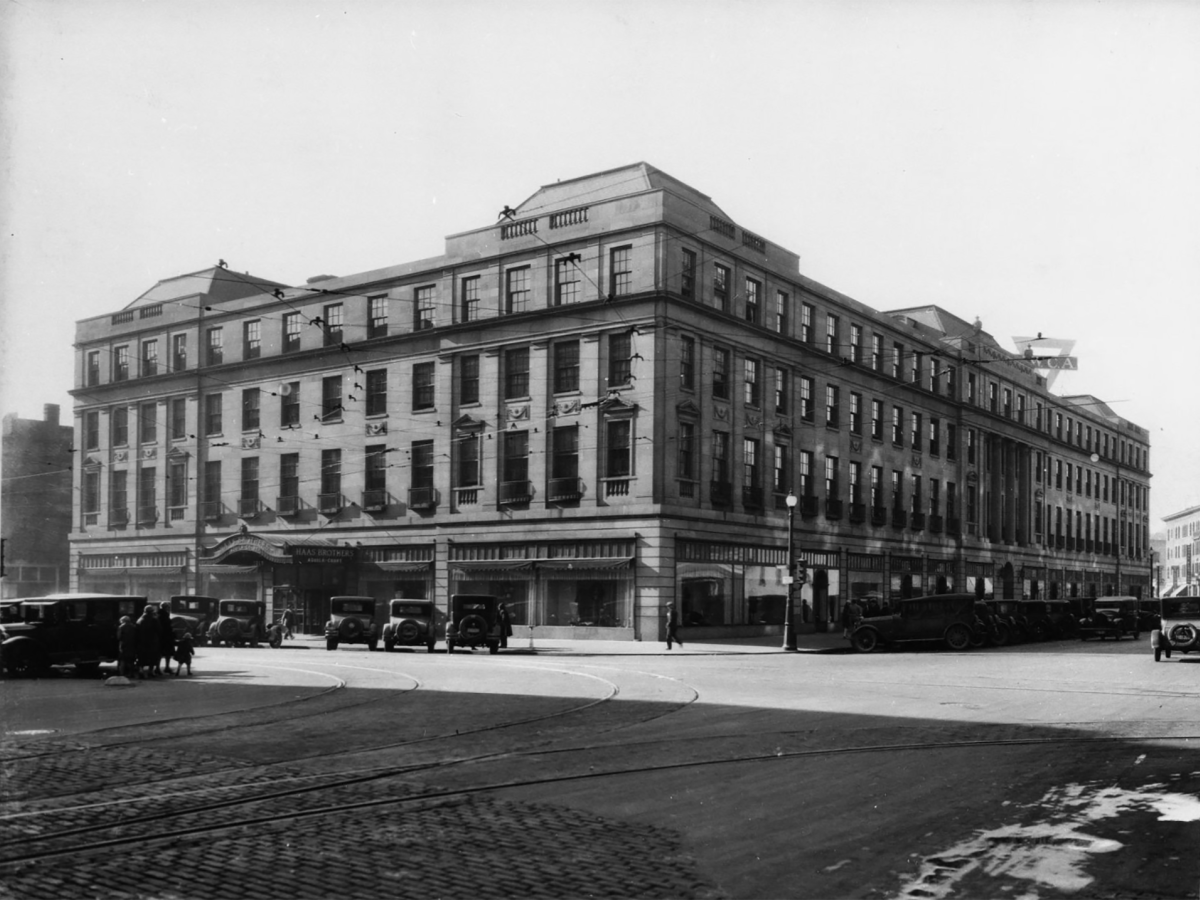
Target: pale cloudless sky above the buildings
[1036,165]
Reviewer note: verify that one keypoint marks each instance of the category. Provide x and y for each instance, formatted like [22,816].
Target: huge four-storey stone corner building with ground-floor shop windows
[595,406]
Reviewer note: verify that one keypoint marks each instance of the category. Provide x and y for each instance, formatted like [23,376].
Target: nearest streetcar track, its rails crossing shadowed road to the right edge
[442,796]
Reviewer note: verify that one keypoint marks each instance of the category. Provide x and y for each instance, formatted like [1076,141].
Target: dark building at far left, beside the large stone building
[35,505]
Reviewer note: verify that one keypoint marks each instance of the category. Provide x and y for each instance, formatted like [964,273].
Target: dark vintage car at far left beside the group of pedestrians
[65,629]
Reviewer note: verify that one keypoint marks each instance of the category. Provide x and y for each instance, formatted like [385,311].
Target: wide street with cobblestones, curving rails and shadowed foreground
[575,770]
